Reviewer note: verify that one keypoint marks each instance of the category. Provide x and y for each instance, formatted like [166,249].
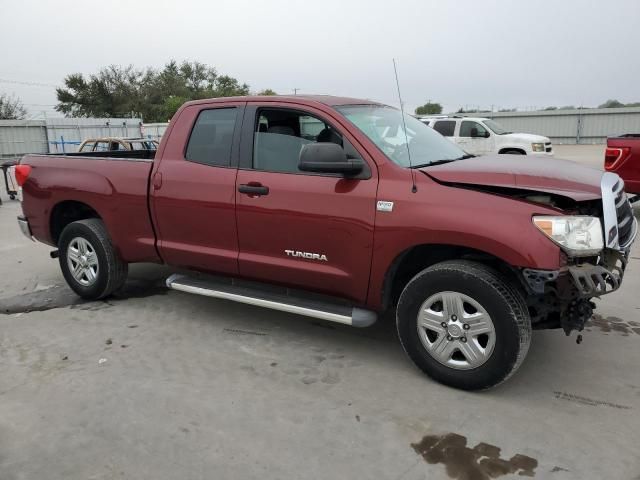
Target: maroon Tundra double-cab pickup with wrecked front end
[341,209]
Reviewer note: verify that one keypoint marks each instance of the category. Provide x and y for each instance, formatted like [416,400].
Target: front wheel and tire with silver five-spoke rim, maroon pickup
[496,351]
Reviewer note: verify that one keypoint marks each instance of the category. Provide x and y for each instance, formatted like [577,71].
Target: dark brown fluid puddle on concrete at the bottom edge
[482,462]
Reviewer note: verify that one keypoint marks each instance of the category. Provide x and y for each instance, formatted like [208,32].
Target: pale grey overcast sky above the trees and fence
[476,53]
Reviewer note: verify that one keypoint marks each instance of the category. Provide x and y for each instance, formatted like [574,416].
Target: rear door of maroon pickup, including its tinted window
[193,189]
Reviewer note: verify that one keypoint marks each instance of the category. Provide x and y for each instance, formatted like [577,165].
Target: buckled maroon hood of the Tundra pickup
[550,175]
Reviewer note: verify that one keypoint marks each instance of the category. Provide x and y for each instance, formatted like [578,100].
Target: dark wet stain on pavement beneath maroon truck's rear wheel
[61,296]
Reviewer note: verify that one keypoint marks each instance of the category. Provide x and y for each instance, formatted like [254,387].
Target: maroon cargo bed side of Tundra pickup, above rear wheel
[114,187]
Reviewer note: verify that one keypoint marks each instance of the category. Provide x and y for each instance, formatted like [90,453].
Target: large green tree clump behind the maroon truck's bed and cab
[154,95]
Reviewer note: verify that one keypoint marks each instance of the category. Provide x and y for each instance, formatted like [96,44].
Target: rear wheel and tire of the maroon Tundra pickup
[100,271]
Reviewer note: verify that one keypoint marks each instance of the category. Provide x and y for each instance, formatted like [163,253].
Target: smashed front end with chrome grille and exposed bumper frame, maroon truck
[563,298]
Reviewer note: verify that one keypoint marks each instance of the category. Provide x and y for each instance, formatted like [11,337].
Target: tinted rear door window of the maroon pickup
[212,136]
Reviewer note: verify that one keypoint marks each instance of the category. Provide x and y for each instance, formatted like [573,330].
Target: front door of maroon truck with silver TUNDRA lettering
[310,231]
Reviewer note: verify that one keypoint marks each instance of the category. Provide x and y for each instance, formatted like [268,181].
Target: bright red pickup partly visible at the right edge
[622,156]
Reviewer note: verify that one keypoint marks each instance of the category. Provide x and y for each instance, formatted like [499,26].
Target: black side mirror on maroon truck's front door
[327,158]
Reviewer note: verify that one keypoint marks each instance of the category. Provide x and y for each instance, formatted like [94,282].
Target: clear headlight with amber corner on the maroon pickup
[578,236]
